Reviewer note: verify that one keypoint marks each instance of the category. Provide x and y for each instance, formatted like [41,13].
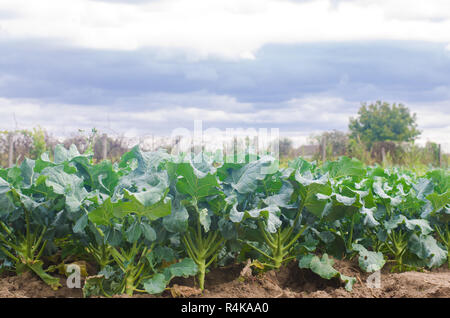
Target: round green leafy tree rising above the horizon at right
[384,122]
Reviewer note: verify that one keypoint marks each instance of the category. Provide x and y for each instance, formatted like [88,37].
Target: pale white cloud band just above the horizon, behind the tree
[296,118]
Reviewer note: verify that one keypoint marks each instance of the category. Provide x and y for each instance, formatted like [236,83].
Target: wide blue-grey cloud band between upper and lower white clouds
[354,71]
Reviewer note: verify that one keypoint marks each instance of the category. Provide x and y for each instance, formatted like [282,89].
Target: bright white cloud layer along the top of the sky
[226,28]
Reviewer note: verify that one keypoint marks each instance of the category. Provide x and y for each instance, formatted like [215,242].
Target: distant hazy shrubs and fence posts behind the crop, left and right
[327,146]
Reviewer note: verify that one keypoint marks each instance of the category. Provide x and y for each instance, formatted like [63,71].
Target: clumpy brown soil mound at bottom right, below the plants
[293,282]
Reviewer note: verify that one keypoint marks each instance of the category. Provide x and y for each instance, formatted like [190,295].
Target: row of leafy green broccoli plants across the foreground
[154,216]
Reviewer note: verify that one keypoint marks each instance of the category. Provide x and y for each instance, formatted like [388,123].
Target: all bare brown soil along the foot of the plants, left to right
[289,282]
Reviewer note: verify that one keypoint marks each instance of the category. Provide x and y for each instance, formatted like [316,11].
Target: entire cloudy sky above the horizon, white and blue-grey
[142,67]
